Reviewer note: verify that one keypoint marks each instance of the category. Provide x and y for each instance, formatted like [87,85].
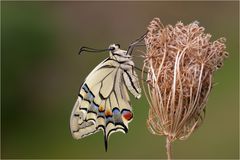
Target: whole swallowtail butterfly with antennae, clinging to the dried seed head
[103,102]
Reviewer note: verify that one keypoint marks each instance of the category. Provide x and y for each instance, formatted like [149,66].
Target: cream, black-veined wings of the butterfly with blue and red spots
[102,104]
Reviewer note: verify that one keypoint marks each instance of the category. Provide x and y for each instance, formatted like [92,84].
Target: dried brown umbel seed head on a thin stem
[180,61]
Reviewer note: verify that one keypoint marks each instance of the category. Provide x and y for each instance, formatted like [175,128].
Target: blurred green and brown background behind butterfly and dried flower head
[41,74]
